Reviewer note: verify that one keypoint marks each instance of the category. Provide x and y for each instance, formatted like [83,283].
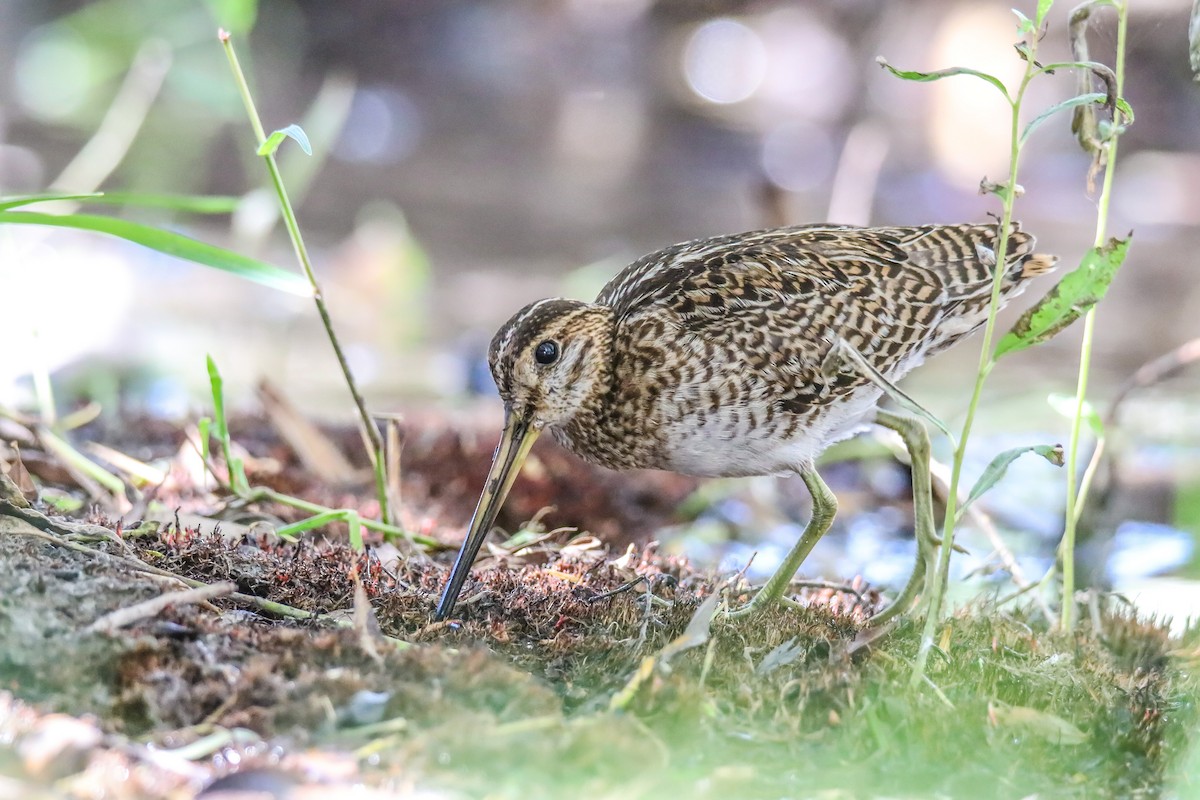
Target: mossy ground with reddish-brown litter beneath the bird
[579,666]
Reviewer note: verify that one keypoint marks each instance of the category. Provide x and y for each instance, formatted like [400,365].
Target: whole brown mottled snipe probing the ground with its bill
[747,354]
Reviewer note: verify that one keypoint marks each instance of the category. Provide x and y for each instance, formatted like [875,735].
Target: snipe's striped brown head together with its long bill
[549,363]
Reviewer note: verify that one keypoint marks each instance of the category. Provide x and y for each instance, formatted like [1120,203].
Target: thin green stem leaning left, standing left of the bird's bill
[370,432]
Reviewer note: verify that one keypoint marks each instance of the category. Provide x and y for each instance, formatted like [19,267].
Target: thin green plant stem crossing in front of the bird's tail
[940,580]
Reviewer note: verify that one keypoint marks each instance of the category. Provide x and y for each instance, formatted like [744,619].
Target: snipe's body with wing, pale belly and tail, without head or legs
[722,345]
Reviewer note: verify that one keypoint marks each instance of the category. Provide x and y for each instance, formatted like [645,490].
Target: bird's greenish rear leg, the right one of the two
[916,440]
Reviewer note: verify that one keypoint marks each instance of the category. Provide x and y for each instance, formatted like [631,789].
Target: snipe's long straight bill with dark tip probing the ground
[515,443]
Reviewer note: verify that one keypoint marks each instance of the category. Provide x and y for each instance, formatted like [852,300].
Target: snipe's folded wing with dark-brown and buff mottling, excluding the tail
[776,302]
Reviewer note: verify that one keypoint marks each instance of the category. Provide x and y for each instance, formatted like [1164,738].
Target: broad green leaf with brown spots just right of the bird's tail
[1070,300]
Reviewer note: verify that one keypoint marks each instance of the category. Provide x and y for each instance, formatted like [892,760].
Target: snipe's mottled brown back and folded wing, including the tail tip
[778,299]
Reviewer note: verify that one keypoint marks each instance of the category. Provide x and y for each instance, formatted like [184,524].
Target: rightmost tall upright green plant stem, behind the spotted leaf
[1077,491]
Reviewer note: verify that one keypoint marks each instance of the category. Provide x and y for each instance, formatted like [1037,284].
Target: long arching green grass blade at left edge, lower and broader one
[171,244]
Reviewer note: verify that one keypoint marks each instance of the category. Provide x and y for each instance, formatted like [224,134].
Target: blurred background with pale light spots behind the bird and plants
[472,157]
